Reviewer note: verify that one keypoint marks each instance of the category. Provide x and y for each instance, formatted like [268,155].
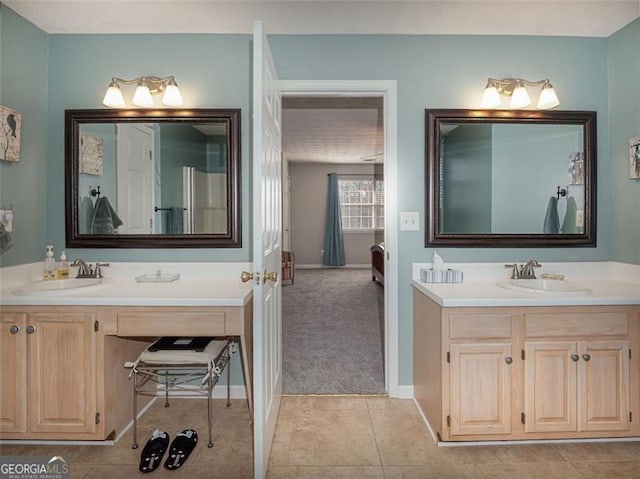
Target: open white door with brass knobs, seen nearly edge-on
[267,231]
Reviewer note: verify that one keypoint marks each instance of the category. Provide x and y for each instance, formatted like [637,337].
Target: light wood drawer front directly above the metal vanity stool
[172,324]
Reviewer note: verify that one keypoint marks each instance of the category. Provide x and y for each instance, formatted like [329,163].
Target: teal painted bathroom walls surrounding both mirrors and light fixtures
[446,71]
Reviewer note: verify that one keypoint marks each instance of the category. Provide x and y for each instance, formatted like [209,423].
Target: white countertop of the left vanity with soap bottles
[200,284]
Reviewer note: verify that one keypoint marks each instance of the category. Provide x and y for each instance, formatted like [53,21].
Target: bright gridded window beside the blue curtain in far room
[361,202]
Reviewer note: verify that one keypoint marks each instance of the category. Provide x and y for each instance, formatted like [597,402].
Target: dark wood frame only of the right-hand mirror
[436,117]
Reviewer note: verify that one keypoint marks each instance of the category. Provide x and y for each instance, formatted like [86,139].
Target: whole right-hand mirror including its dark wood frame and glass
[502,178]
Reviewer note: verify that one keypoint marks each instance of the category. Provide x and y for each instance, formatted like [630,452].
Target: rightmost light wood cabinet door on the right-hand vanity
[603,386]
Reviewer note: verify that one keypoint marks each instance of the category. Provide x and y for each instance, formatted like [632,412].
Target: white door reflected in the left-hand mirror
[135,179]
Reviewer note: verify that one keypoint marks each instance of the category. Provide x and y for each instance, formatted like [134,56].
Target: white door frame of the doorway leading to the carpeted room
[387,89]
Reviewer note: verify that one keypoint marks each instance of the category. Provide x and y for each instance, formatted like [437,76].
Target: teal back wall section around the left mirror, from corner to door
[213,71]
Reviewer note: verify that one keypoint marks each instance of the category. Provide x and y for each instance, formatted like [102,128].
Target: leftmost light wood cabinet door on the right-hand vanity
[480,388]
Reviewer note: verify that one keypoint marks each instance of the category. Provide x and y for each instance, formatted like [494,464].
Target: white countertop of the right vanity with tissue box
[610,284]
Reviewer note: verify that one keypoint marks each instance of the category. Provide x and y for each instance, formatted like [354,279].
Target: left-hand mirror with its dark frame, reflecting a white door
[153,178]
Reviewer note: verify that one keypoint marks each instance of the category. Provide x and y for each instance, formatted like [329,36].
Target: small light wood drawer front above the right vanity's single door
[475,326]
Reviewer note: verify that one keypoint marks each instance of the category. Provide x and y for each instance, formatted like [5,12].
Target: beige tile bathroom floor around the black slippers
[340,437]
